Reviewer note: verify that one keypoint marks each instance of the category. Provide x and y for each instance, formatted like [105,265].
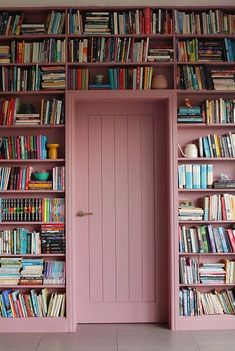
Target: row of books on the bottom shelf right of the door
[193,302]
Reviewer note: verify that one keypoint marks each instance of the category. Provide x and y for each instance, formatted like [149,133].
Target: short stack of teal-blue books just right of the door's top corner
[192,114]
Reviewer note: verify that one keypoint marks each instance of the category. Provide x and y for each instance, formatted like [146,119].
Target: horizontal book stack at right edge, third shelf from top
[223,79]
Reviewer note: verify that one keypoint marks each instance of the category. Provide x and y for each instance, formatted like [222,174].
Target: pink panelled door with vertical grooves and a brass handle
[116,244]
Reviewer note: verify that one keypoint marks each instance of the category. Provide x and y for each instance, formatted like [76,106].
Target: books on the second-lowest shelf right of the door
[194,272]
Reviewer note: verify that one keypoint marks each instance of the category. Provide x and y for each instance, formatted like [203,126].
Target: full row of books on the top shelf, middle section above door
[138,21]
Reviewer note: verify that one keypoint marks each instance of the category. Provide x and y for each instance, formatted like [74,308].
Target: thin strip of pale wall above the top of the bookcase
[114,2]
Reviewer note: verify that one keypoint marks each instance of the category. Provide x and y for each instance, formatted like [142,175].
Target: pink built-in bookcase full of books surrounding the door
[45,55]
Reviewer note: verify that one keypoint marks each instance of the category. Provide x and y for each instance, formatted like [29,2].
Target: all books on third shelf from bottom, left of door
[50,239]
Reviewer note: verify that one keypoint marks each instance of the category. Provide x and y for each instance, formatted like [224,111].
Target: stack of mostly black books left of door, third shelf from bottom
[53,238]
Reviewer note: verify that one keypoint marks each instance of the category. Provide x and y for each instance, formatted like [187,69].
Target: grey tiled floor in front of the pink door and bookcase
[121,337]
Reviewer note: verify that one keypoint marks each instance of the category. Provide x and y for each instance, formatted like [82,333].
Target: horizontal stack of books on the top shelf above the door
[97,23]
